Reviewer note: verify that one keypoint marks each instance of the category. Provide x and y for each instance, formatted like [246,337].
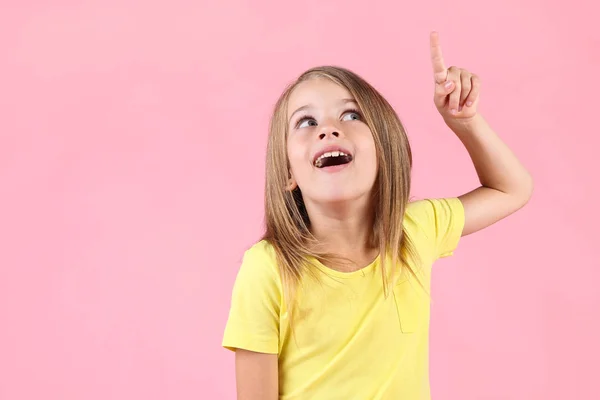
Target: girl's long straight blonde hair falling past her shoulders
[287,222]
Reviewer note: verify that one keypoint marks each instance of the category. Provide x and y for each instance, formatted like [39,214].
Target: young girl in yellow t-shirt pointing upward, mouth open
[333,303]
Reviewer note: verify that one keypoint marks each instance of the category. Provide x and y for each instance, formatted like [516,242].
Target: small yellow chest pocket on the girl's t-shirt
[412,306]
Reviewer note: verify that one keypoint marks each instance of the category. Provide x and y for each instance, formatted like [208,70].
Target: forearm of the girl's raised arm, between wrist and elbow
[497,166]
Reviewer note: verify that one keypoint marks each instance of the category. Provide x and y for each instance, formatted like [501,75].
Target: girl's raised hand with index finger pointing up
[456,89]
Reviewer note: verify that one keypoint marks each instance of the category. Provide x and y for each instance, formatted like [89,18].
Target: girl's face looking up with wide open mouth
[330,148]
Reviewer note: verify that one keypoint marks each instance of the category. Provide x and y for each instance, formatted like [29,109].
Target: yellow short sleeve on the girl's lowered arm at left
[253,322]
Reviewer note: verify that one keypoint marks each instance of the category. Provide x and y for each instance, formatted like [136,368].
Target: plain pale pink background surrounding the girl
[132,139]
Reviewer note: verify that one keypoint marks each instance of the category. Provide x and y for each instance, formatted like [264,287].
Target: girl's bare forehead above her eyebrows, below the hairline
[316,92]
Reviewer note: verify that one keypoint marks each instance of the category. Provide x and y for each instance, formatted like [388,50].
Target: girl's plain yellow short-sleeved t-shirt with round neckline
[350,342]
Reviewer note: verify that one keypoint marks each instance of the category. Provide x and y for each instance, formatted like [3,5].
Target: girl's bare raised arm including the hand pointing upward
[506,185]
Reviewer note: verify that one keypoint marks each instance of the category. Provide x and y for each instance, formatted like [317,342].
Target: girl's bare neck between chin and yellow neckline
[344,229]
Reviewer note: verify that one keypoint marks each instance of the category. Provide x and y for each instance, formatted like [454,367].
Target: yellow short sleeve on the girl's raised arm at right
[442,221]
